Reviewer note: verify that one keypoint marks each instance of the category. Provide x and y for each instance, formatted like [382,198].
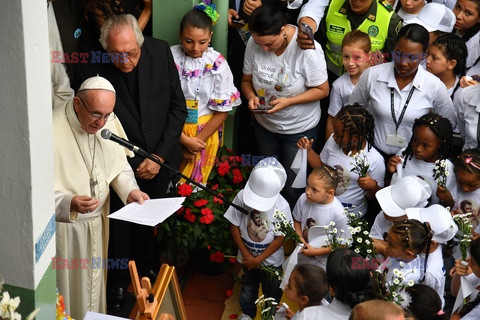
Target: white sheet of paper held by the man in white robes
[150,213]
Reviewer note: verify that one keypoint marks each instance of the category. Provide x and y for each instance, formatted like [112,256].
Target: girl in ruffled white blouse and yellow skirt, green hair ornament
[207,84]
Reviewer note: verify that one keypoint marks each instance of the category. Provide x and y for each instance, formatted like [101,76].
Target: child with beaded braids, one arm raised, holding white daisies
[350,149]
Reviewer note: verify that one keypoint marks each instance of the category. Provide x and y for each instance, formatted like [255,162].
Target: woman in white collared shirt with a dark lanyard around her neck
[399,92]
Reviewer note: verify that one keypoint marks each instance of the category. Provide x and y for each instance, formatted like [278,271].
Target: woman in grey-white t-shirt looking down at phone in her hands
[283,85]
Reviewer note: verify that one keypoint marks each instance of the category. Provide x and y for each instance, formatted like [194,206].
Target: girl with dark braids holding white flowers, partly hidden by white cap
[426,156]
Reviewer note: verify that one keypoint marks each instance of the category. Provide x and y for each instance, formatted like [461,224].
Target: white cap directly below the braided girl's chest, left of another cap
[407,192]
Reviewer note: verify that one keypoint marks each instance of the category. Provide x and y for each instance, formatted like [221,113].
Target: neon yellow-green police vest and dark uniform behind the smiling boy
[379,22]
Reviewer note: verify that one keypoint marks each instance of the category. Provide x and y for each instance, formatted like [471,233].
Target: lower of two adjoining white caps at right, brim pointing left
[440,219]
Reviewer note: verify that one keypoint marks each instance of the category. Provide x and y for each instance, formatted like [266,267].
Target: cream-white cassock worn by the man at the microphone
[85,236]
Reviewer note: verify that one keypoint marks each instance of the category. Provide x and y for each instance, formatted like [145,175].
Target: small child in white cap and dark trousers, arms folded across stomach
[259,241]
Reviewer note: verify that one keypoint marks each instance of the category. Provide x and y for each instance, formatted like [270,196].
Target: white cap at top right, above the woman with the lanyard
[435,16]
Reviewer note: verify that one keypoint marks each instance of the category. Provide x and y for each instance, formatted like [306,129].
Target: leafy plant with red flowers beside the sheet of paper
[199,224]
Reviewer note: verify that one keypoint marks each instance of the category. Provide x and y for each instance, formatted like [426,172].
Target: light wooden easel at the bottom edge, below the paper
[149,300]
